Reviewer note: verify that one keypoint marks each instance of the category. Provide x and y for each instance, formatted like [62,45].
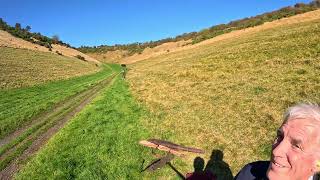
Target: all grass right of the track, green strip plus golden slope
[227,96]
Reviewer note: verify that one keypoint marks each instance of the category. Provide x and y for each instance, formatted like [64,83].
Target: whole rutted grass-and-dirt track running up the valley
[40,132]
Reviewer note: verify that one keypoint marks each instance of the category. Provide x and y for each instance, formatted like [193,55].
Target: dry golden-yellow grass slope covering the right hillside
[230,95]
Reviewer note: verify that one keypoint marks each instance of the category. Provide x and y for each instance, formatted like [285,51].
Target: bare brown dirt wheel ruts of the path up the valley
[48,124]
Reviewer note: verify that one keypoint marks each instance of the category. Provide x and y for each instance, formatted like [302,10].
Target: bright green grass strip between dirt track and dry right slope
[99,143]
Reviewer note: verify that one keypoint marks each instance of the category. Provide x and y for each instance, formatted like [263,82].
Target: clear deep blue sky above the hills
[97,22]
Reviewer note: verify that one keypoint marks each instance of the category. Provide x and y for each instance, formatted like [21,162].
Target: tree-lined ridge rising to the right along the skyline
[196,37]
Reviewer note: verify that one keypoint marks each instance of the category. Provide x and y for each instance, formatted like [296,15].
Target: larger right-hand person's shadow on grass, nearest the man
[218,167]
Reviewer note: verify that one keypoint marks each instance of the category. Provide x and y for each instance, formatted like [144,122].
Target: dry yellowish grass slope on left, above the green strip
[22,67]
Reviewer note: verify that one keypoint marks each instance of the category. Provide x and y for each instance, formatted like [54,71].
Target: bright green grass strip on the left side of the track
[19,106]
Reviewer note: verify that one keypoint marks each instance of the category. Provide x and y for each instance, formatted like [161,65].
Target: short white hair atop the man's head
[309,111]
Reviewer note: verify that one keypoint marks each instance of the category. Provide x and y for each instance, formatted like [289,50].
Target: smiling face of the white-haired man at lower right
[293,152]
